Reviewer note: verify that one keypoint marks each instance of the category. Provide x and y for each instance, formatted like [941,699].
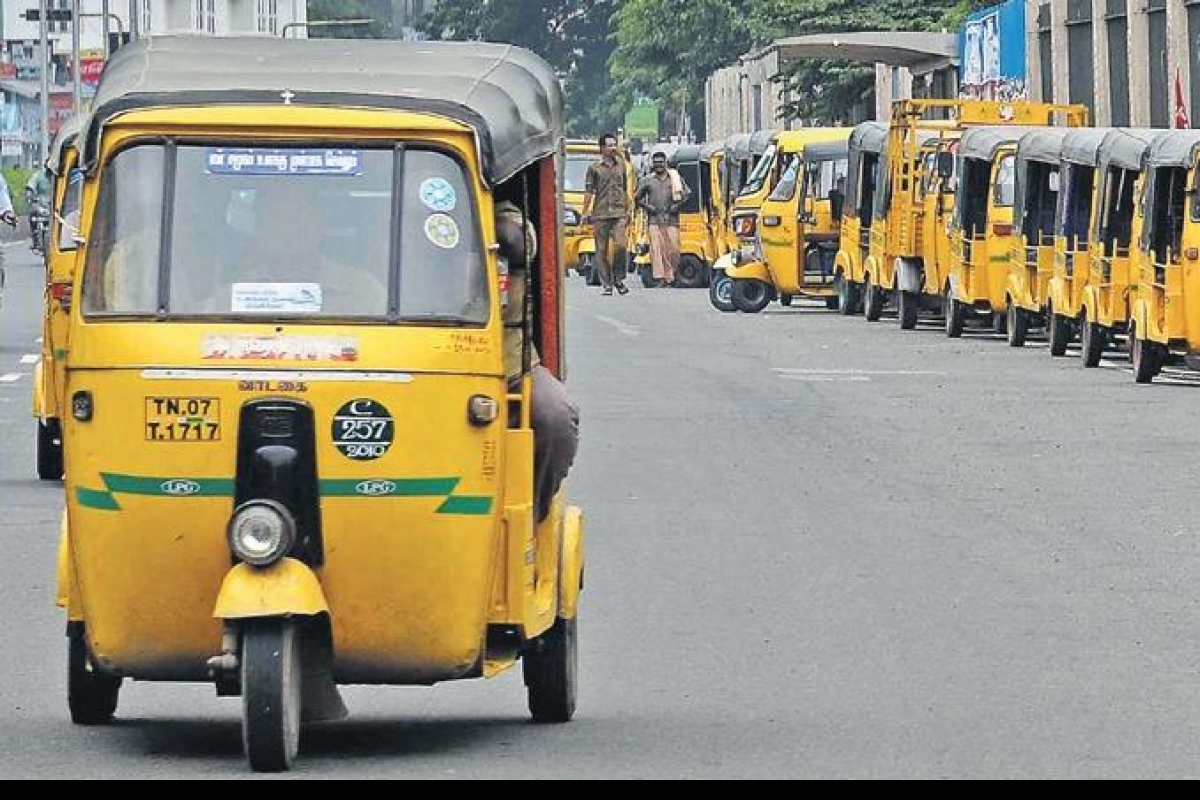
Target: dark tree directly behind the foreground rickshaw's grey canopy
[572,35]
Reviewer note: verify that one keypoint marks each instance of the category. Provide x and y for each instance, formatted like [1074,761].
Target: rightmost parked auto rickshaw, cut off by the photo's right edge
[1166,312]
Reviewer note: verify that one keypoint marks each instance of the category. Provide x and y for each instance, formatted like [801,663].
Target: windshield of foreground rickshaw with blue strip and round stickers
[298,232]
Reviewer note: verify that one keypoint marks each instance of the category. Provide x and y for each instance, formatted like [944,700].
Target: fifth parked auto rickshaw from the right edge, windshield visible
[983,226]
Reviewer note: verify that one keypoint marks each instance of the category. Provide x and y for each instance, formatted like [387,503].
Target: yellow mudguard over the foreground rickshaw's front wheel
[287,590]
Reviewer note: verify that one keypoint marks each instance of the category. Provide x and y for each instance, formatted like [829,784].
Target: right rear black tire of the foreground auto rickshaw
[551,673]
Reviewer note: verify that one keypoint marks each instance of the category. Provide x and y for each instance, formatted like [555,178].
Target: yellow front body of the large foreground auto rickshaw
[424,548]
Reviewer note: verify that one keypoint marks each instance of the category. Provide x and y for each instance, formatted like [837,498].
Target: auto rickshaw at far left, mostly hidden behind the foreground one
[61,256]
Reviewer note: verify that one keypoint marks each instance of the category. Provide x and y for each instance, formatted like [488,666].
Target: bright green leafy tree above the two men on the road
[667,50]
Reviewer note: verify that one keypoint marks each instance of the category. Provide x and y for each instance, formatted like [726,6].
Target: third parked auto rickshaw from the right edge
[1079,184]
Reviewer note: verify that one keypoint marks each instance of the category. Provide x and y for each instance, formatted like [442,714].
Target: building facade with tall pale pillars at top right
[1135,63]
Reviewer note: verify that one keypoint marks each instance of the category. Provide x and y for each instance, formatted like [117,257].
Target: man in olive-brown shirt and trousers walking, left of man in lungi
[607,204]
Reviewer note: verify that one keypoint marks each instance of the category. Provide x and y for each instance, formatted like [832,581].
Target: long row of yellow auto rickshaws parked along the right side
[1013,214]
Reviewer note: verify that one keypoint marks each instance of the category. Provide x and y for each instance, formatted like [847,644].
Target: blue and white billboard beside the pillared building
[992,53]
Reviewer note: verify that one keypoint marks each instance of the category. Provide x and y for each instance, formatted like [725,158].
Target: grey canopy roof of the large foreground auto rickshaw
[509,97]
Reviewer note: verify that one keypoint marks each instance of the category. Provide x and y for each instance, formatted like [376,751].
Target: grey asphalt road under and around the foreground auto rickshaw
[818,549]
